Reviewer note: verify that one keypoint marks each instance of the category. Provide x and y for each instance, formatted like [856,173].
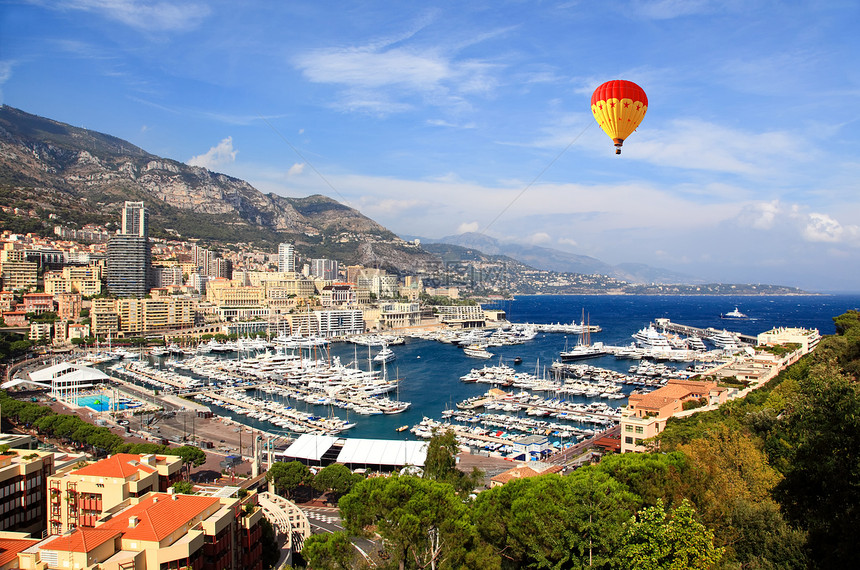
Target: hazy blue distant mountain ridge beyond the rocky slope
[561,261]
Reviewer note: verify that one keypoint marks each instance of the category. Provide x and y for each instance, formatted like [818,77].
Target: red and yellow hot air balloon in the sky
[619,106]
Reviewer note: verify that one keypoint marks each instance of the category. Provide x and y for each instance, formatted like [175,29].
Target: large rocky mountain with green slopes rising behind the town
[82,176]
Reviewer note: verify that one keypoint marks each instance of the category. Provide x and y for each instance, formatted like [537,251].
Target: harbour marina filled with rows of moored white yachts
[336,388]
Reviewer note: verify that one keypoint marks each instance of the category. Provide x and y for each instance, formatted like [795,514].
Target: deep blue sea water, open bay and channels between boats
[430,371]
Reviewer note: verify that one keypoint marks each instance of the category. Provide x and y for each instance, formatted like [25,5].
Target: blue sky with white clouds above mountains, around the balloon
[435,118]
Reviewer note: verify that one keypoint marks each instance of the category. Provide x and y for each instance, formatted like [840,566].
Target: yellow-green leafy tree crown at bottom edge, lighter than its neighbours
[655,540]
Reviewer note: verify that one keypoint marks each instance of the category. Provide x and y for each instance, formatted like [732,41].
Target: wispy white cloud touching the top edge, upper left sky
[143,14]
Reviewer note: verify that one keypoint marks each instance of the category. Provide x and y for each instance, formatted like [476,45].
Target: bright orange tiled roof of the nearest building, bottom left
[159,514]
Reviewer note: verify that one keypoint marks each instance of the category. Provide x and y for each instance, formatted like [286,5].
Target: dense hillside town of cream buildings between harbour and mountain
[126,284]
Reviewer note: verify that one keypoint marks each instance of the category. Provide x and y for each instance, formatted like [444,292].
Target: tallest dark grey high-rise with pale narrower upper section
[129,254]
